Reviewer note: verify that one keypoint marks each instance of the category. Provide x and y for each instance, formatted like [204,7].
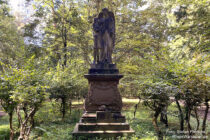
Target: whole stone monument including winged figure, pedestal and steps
[103,104]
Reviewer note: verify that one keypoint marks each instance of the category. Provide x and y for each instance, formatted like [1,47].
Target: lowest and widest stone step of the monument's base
[102,134]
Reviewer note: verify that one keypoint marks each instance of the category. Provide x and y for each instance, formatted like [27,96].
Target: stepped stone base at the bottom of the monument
[102,124]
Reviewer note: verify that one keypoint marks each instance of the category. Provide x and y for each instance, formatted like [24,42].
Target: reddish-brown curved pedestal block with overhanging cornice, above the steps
[103,93]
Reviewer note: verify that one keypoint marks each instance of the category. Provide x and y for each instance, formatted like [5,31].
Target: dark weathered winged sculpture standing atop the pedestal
[104,36]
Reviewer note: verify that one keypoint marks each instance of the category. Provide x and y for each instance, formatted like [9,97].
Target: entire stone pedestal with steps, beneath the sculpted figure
[103,105]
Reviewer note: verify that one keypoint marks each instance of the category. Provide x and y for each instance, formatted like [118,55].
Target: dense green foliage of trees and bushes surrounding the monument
[162,49]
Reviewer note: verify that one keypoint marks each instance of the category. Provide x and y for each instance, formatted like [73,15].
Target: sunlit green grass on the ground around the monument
[49,124]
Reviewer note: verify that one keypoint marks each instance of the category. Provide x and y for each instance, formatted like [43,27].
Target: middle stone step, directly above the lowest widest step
[103,126]
